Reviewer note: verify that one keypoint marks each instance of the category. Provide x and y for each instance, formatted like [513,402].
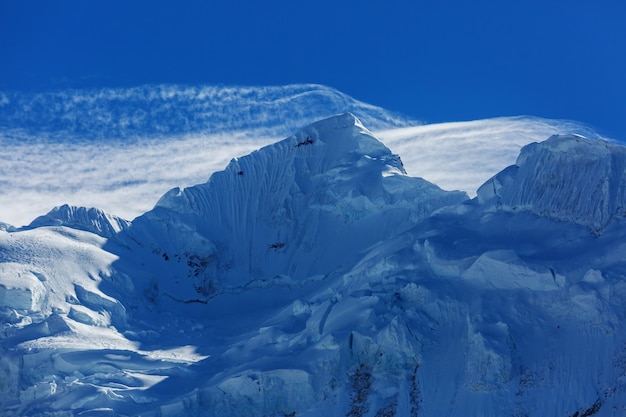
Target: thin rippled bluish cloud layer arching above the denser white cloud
[165,110]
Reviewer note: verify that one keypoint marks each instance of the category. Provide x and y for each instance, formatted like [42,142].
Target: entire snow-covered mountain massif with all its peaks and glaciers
[314,276]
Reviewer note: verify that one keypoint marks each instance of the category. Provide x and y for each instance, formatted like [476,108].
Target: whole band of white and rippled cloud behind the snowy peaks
[136,142]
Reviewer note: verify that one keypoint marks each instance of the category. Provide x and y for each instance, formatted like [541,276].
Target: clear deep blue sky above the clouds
[437,60]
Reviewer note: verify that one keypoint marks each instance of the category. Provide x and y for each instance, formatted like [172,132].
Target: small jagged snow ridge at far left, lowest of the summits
[89,219]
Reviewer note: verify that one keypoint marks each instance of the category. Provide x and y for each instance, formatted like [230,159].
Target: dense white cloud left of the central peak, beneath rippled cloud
[122,179]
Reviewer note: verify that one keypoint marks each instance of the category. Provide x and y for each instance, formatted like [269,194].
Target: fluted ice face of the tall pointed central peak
[299,208]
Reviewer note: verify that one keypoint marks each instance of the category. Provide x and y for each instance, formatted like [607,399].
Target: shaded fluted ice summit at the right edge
[567,178]
